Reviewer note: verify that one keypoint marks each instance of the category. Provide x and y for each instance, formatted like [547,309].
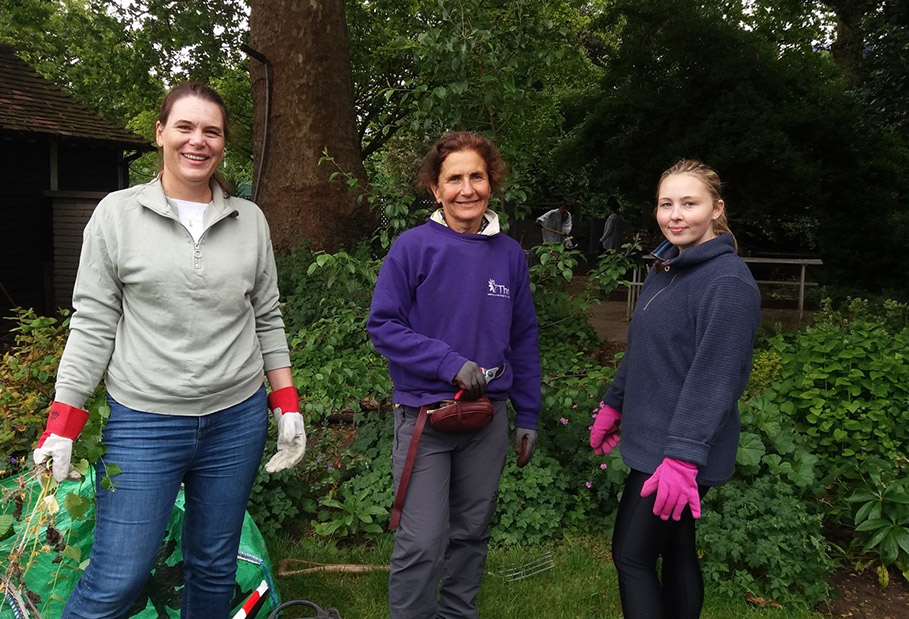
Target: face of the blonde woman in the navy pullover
[686,210]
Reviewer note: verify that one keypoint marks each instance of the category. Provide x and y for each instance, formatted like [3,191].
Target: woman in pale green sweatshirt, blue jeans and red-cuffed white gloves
[177,309]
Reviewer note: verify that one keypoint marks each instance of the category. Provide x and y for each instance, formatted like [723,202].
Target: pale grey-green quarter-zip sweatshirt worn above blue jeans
[179,327]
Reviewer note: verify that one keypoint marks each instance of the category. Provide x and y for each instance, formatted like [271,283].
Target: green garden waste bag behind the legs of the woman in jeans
[46,543]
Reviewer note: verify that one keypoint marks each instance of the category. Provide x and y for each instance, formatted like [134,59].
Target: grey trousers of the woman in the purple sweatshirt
[444,534]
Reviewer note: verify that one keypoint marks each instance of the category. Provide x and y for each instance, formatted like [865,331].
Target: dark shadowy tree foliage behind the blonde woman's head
[797,151]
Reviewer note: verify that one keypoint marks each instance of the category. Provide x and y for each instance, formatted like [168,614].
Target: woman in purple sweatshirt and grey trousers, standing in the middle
[453,296]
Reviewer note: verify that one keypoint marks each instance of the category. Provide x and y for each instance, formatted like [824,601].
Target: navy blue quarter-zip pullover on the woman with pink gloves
[688,360]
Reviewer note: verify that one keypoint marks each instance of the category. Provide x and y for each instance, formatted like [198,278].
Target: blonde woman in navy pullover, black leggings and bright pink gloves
[675,394]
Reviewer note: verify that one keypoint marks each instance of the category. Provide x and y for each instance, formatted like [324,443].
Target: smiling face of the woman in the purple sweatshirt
[463,190]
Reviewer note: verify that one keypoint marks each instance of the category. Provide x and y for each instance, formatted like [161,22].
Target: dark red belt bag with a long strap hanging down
[450,416]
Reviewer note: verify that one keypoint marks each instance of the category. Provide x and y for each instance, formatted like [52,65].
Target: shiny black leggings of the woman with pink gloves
[640,538]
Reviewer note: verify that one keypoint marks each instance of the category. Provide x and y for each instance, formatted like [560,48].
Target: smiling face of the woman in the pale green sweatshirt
[192,144]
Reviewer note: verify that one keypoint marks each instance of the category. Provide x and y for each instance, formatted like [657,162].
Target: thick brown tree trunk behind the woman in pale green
[312,109]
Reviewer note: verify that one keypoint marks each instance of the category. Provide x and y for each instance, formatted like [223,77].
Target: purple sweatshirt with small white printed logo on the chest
[443,298]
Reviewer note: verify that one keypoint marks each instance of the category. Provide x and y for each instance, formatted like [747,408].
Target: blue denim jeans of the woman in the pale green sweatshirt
[216,458]
